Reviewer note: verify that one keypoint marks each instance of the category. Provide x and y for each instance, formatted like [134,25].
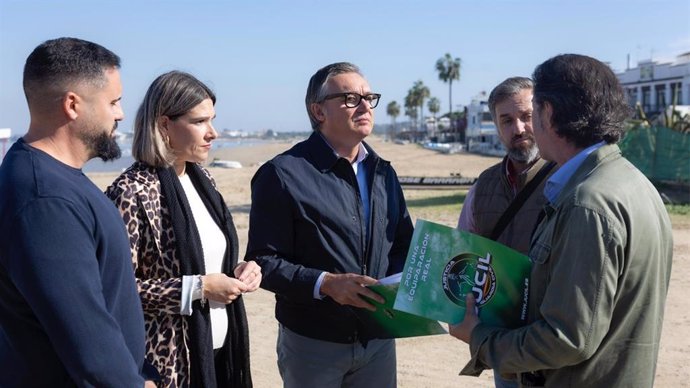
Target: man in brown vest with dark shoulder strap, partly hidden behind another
[490,198]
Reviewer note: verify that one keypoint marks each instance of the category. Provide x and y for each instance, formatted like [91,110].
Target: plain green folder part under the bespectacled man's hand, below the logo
[387,322]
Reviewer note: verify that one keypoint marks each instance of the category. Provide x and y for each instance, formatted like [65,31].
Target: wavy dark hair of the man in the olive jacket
[587,101]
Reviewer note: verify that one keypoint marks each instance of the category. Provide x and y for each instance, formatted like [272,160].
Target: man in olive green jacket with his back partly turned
[601,256]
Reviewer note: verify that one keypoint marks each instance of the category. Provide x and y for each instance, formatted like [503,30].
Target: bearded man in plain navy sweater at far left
[70,314]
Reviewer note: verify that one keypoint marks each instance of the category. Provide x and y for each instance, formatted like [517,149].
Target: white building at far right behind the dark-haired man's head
[652,84]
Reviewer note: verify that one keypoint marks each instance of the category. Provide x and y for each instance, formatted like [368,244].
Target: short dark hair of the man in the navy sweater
[57,64]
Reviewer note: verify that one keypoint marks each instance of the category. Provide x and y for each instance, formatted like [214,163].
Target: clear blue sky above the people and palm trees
[258,55]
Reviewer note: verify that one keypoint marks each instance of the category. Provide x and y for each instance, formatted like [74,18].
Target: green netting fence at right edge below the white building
[662,154]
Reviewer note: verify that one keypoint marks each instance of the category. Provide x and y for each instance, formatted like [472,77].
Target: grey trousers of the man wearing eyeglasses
[305,362]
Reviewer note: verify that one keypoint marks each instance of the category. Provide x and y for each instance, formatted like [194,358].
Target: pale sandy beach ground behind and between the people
[426,361]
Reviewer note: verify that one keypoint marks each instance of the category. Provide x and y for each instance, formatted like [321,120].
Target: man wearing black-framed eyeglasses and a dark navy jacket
[328,218]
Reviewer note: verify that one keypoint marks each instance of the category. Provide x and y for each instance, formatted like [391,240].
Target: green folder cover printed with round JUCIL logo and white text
[444,264]
